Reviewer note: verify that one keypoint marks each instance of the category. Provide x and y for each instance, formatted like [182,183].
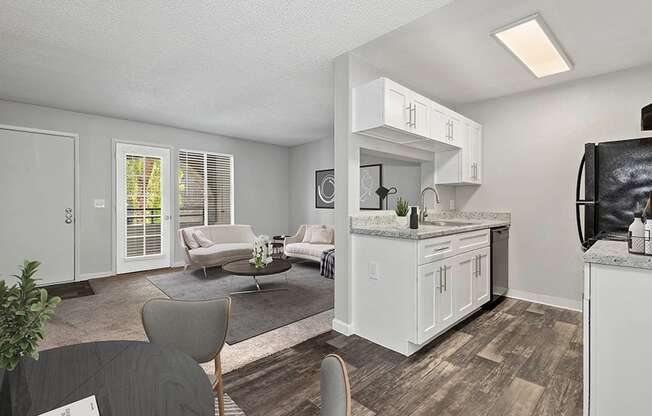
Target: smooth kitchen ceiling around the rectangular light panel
[449,54]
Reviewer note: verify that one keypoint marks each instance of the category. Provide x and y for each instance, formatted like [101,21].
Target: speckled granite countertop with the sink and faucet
[386,225]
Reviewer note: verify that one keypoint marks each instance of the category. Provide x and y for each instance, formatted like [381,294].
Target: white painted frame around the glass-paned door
[171,198]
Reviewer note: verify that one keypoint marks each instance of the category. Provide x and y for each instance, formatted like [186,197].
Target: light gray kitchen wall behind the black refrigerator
[532,147]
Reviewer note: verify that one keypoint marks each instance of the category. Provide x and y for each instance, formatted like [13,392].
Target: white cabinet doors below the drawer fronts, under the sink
[451,289]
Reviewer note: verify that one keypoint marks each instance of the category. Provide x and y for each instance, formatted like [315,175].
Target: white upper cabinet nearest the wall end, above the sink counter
[389,111]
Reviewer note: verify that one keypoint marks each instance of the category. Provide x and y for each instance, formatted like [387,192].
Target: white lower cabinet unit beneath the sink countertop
[406,292]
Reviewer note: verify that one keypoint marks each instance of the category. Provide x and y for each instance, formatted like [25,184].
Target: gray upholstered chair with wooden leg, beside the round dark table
[197,328]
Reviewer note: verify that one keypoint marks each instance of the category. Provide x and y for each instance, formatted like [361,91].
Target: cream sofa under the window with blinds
[232,242]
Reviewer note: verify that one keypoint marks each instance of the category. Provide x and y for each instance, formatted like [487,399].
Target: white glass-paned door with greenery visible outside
[142,207]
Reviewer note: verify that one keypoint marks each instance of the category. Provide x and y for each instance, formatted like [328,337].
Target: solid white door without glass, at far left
[37,218]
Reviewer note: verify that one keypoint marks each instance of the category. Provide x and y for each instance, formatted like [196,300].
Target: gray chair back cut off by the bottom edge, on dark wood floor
[334,387]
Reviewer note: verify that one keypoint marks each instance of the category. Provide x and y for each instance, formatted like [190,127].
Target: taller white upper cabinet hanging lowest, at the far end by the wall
[464,166]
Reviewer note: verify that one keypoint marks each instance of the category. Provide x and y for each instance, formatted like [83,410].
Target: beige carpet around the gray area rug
[113,313]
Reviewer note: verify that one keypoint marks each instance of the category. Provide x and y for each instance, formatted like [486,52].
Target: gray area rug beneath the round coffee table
[255,313]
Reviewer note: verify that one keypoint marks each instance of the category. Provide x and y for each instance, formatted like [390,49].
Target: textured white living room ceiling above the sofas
[253,69]
